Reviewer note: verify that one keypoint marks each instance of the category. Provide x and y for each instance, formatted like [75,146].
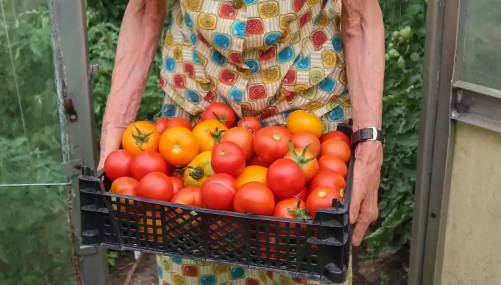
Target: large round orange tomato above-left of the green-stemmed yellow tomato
[178,146]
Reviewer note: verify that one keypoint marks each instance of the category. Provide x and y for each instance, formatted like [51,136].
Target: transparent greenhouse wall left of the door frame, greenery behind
[35,243]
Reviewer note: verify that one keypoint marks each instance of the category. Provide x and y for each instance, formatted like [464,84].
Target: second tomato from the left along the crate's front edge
[156,186]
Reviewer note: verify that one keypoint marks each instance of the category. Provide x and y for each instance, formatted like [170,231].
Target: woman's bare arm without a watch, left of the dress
[137,44]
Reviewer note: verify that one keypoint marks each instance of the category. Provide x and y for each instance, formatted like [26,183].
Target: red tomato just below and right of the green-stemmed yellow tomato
[218,192]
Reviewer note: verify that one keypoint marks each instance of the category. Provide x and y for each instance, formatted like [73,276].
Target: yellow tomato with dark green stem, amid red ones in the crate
[198,170]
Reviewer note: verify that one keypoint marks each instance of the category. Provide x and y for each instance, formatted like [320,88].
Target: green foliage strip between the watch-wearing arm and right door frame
[405,38]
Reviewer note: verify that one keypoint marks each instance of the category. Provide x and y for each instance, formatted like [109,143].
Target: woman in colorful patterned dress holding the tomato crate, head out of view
[262,58]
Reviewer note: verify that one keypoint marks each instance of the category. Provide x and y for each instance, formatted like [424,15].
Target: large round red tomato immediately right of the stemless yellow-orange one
[285,179]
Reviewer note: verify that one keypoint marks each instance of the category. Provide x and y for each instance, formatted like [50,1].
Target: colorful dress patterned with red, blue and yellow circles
[264,58]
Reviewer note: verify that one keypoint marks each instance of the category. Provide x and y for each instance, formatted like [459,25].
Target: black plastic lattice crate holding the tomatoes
[317,249]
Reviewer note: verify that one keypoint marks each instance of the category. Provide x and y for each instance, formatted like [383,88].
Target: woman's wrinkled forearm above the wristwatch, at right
[363,39]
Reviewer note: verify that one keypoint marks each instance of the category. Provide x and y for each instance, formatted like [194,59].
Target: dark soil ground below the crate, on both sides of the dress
[385,270]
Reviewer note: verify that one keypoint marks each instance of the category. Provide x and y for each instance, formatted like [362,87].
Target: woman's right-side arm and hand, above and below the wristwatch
[363,39]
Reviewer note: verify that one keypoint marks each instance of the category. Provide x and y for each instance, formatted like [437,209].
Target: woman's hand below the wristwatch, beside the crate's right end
[366,176]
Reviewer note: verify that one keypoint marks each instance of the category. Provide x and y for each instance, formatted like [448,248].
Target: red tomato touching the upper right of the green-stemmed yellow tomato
[227,157]
